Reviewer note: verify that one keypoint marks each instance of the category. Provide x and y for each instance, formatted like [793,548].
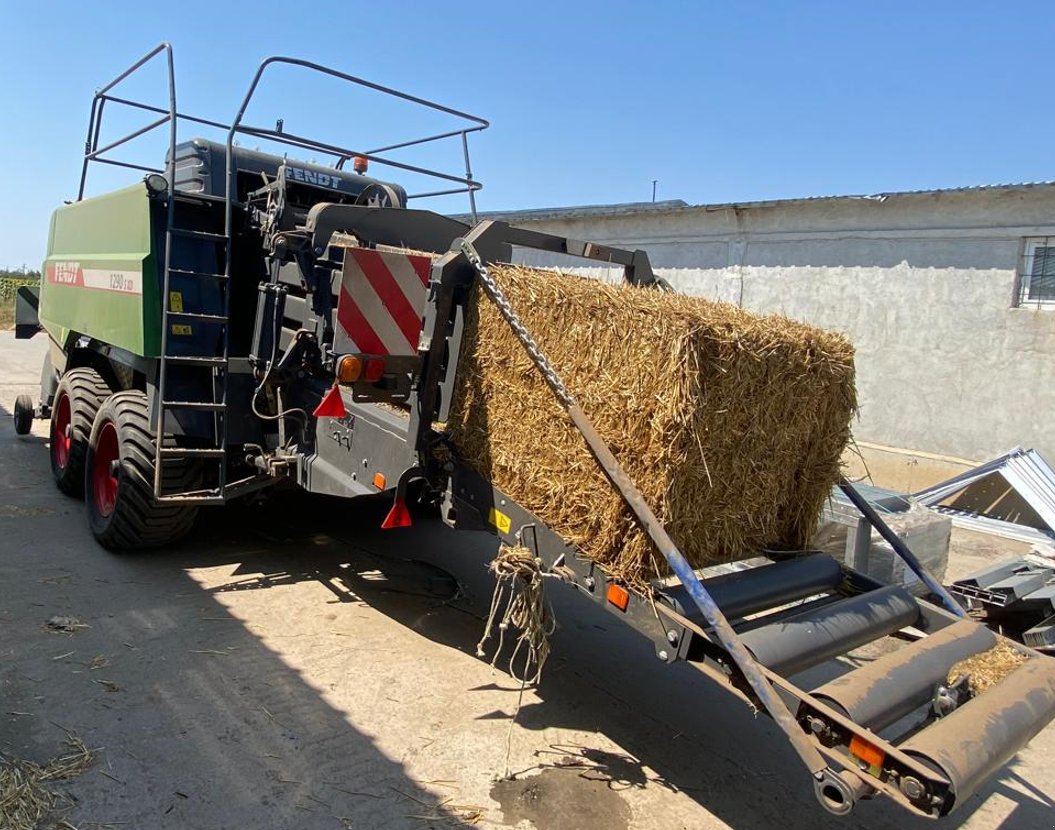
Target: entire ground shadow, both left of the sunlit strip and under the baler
[194,729]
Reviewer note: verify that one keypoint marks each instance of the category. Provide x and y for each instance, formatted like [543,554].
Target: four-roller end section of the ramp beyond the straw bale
[946,761]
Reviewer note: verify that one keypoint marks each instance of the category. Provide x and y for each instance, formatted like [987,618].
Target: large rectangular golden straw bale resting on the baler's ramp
[733,424]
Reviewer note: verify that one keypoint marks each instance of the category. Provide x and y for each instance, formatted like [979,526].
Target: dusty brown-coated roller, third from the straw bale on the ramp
[888,689]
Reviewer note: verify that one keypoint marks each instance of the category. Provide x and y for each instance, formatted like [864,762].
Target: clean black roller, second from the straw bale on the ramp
[798,643]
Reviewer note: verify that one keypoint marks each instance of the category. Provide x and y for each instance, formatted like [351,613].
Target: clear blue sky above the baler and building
[589,102]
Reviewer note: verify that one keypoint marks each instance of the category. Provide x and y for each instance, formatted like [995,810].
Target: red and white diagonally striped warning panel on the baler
[381,304]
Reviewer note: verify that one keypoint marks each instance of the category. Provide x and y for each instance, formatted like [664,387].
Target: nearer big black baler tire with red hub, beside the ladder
[122,510]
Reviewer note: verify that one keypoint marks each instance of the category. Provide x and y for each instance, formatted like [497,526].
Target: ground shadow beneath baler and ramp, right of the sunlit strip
[680,731]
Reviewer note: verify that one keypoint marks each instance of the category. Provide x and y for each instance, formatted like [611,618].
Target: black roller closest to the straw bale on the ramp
[769,587]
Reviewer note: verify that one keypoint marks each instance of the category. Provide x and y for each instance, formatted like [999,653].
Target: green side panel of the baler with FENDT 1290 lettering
[101,277]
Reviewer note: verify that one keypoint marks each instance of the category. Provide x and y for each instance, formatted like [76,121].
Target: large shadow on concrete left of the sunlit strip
[188,734]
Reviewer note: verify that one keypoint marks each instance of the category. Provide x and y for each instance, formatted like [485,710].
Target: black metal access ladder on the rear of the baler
[208,364]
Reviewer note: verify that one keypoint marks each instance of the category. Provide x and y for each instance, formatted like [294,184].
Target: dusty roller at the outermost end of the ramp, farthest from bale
[984,735]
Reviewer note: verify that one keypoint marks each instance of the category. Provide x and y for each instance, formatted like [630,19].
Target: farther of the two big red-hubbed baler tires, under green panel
[80,395]
